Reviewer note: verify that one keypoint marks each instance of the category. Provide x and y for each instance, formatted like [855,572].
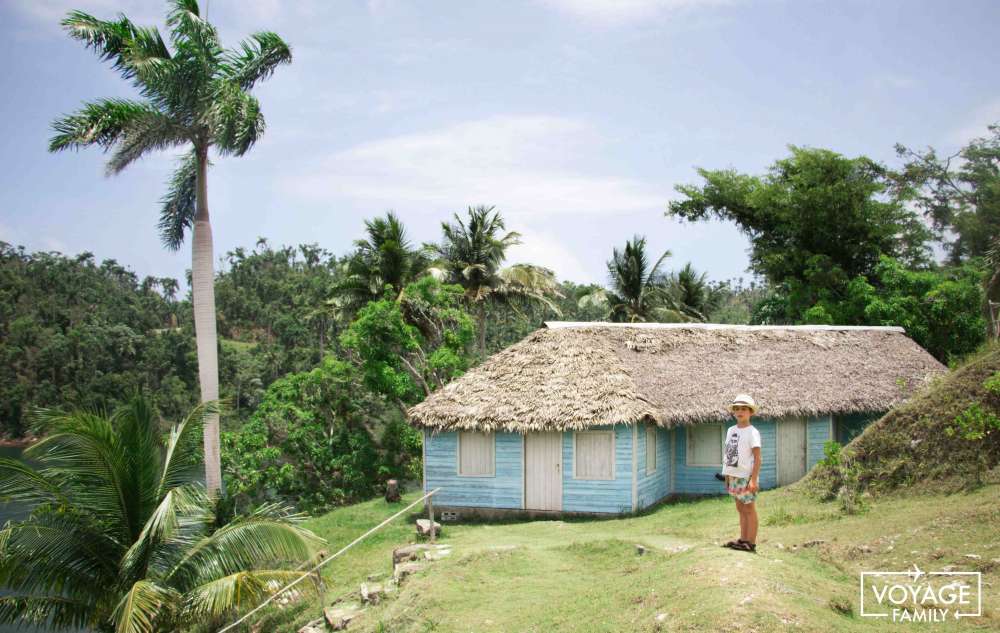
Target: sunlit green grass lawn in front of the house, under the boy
[586,575]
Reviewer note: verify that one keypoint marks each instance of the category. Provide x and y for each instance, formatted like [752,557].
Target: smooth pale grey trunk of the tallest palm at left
[203,289]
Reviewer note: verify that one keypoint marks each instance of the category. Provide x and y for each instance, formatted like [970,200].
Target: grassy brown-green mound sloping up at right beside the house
[910,444]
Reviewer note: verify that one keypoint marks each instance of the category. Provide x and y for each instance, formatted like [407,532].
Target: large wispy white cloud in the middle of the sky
[527,165]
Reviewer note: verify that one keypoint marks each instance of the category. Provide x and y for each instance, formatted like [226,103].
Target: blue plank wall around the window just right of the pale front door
[605,495]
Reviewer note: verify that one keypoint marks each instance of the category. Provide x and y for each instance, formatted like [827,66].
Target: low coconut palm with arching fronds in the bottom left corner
[122,536]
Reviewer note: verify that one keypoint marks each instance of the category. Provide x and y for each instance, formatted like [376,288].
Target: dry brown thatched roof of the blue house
[576,375]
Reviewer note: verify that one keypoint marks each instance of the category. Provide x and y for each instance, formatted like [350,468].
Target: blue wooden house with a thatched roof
[611,418]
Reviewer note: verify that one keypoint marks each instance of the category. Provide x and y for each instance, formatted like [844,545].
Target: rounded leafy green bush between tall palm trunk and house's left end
[311,441]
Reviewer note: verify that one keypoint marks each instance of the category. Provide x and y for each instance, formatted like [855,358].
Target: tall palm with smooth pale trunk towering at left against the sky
[195,95]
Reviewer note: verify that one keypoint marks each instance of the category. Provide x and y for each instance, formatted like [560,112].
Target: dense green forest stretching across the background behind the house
[320,354]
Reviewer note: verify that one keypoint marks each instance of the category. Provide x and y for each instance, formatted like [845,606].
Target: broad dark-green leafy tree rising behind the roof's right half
[816,221]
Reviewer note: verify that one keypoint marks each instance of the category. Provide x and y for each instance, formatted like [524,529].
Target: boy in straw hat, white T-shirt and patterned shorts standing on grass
[741,466]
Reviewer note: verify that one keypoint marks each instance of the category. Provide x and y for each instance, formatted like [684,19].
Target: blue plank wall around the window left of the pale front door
[503,490]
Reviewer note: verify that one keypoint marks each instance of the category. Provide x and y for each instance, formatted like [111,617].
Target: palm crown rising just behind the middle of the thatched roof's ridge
[638,292]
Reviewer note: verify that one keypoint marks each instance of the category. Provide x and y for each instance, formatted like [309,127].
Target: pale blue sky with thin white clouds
[574,118]
